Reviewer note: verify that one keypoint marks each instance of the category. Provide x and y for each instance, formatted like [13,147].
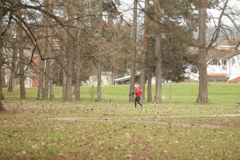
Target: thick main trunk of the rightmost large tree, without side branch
[203,88]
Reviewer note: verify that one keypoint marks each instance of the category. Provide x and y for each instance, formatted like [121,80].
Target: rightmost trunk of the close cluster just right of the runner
[158,58]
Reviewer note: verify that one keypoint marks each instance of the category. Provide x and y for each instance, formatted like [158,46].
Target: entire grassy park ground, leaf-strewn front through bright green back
[175,129]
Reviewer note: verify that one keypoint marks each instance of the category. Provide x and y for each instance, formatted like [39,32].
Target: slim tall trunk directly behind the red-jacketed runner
[133,55]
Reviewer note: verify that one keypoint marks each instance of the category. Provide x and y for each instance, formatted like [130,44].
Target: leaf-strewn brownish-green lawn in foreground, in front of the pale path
[28,133]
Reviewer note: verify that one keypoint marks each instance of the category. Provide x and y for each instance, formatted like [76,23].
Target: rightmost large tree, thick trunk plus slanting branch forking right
[202,45]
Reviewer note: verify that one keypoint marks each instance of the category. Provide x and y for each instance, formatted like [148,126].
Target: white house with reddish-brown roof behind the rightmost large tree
[223,62]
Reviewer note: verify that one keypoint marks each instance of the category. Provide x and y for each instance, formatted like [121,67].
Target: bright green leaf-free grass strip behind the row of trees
[181,92]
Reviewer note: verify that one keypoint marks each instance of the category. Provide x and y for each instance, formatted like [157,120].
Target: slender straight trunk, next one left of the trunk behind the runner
[99,79]
